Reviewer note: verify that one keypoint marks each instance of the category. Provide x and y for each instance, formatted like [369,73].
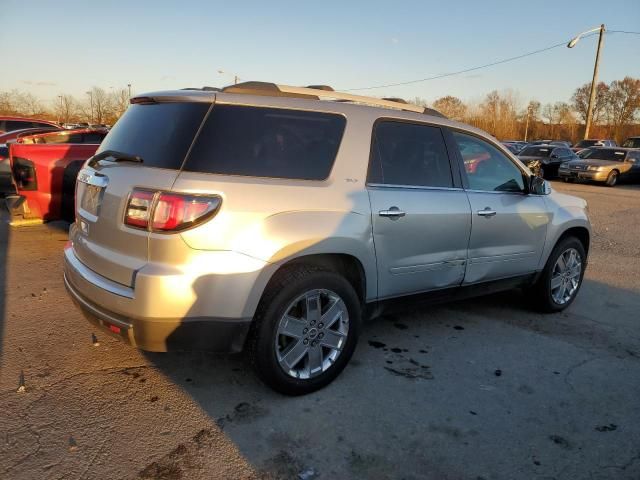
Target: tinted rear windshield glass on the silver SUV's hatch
[160,133]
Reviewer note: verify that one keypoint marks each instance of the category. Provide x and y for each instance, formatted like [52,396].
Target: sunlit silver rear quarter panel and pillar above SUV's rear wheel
[278,220]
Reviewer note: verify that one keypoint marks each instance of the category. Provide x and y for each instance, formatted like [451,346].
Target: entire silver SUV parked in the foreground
[274,219]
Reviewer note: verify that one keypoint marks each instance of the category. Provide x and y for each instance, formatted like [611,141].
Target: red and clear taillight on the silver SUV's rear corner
[169,212]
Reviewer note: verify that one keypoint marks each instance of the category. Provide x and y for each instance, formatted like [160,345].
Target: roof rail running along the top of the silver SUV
[317,92]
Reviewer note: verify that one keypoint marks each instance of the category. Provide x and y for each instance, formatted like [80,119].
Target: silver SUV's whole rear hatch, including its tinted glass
[160,132]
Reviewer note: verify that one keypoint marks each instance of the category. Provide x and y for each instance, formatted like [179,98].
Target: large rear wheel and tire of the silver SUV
[305,330]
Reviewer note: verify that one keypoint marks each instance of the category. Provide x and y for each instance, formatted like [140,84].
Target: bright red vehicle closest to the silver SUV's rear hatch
[44,169]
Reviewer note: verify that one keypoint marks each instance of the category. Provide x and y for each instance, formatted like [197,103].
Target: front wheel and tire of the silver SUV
[561,279]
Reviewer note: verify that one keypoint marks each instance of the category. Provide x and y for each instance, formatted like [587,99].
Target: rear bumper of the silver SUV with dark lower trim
[99,299]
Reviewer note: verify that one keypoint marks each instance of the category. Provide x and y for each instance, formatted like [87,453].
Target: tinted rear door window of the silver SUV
[410,155]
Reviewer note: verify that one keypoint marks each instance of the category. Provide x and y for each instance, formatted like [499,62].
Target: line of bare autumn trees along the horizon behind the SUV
[616,112]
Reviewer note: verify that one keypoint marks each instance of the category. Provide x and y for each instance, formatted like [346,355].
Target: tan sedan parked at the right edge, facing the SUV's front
[601,164]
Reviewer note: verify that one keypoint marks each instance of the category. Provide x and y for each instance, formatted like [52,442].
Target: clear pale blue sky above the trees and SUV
[63,46]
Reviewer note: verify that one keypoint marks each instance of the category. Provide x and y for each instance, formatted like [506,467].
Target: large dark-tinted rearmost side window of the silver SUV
[267,142]
